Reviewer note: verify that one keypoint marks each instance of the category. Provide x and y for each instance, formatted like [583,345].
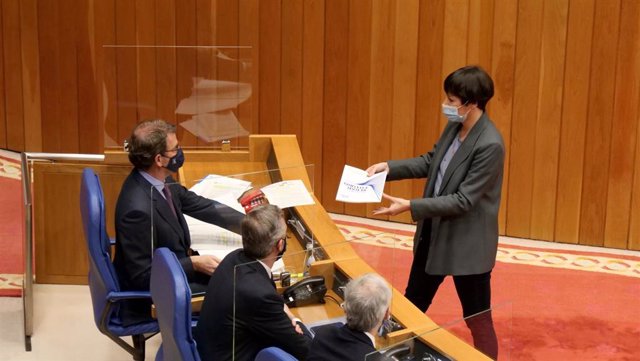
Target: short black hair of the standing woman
[471,84]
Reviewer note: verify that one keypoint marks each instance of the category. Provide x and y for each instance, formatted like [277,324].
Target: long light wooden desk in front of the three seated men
[281,153]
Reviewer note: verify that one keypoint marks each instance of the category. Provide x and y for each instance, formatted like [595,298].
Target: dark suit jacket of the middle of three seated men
[260,320]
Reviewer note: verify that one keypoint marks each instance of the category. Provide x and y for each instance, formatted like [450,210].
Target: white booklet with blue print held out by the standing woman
[357,187]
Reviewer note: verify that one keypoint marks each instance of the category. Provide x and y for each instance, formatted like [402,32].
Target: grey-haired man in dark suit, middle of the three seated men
[259,318]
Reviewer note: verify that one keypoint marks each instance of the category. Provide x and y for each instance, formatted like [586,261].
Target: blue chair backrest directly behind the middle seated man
[172,297]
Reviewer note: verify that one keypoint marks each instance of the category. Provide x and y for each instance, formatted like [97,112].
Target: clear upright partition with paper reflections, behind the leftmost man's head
[206,91]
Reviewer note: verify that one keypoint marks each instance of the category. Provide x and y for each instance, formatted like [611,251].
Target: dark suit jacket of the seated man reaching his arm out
[142,213]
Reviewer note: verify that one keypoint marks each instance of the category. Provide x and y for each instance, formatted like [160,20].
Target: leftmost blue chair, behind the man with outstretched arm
[106,296]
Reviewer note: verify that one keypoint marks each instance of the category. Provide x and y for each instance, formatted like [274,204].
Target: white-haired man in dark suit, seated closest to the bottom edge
[366,305]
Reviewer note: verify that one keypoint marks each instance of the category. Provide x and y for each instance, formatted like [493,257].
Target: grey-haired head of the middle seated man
[261,229]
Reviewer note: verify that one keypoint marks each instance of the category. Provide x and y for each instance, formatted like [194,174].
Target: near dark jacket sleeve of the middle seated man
[272,323]
